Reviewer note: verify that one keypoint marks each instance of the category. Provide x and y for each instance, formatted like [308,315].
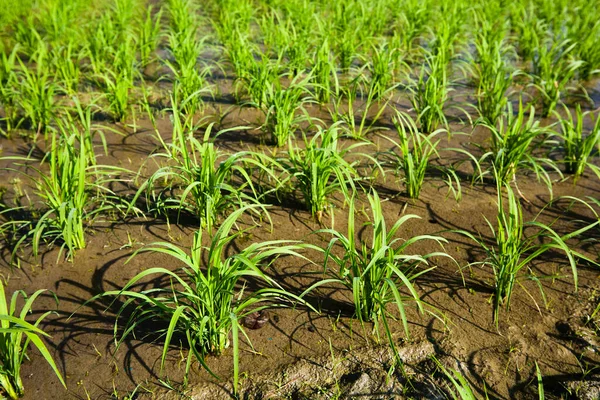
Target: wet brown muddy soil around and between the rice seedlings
[303,354]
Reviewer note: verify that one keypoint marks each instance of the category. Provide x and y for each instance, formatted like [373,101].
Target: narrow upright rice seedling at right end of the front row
[514,250]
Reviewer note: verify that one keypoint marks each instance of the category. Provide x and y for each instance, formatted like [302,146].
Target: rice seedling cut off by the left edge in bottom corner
[16,335]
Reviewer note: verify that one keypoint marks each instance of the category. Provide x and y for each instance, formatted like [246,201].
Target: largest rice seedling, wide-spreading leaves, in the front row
[208,296]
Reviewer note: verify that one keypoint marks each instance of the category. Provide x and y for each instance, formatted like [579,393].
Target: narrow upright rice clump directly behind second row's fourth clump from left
[430,93]
